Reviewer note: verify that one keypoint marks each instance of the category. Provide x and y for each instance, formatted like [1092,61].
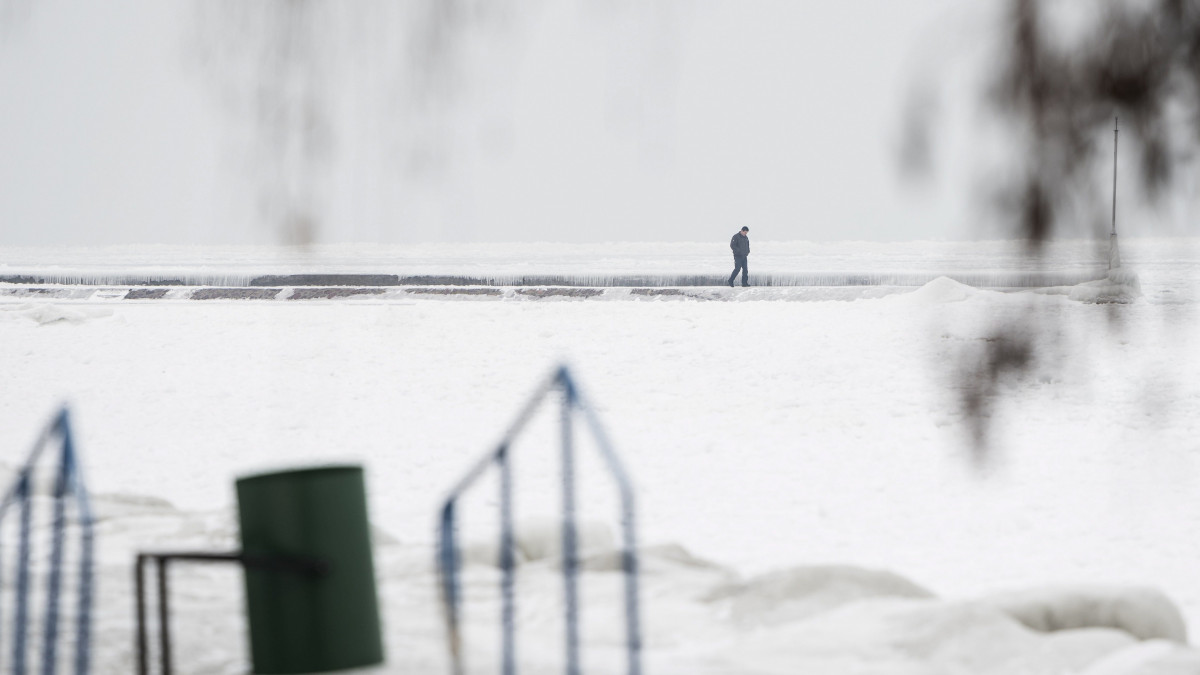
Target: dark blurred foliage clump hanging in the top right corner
[1137,61]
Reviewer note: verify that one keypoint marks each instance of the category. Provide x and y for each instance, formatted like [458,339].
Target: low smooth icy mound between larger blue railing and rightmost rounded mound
[801,593]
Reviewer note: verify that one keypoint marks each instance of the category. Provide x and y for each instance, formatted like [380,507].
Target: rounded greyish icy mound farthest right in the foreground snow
[1144,613]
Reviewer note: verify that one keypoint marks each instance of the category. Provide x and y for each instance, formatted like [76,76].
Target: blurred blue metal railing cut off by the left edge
[69,487]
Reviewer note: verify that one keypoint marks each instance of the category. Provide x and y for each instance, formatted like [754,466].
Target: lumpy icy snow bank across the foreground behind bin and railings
[699,618]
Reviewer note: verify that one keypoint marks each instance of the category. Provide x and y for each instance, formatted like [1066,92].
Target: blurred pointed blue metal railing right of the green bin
[448,551]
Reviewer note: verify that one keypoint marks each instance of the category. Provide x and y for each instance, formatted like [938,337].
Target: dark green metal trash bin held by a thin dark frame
[299,622]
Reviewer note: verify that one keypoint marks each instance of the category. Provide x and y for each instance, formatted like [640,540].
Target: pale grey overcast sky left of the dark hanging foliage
[565,121]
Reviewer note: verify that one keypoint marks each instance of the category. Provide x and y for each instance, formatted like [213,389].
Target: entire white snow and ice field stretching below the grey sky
[811,498]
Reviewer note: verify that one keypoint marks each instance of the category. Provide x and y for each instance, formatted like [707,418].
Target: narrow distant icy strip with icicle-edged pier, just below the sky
[1168,264]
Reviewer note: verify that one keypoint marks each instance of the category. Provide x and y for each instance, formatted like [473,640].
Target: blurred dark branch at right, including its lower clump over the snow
[1058,88]
